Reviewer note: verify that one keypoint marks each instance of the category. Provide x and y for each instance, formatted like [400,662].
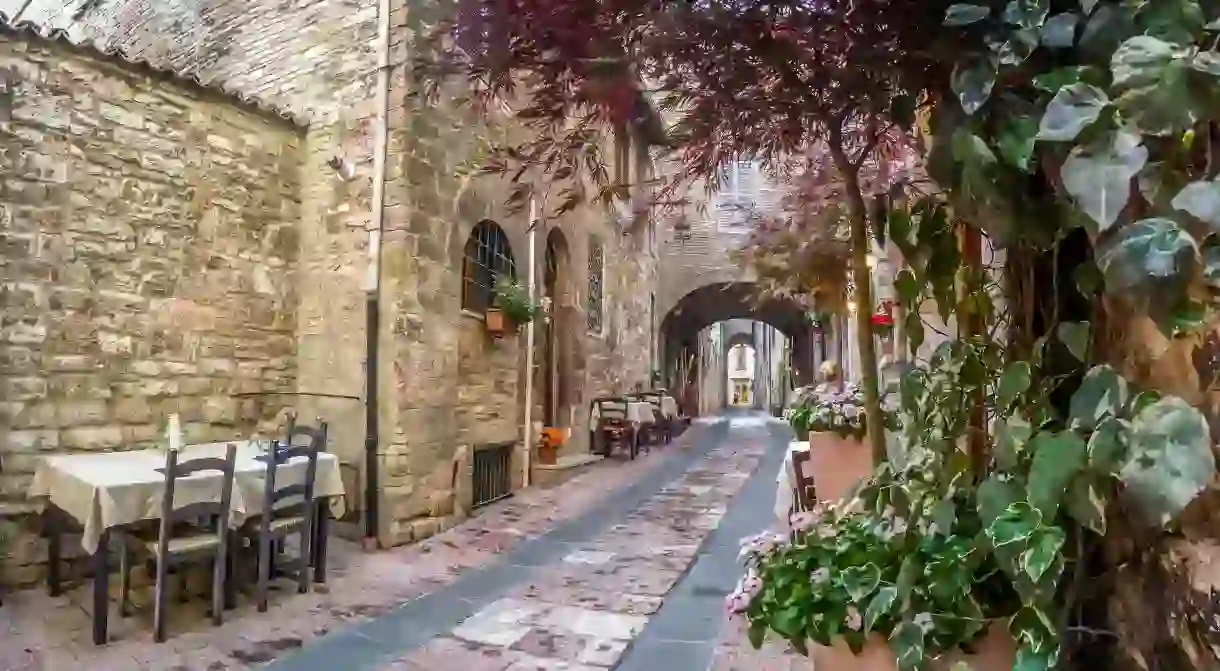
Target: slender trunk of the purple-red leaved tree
[861,278]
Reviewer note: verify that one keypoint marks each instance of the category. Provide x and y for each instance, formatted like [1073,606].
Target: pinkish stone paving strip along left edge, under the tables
[38,633]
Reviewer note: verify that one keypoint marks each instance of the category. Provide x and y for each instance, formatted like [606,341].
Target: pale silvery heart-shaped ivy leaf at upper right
[1101,181]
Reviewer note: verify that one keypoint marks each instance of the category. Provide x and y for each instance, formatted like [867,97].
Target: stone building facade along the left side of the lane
[176,240]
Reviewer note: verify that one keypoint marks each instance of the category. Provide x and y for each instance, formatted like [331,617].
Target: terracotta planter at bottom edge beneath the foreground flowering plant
[994,652]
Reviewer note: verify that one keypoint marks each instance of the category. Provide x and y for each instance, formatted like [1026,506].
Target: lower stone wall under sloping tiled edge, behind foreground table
[149,237]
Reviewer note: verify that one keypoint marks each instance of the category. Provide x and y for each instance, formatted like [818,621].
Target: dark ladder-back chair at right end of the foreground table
[280,522]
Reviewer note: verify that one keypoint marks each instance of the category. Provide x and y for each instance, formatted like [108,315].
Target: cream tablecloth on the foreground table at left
[110,490]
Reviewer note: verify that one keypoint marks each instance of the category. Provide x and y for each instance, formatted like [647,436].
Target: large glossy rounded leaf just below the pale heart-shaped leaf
[1156,248]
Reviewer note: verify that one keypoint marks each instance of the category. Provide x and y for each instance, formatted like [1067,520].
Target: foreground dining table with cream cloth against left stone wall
[106,492]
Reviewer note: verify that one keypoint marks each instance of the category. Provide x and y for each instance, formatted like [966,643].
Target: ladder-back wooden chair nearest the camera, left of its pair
[180,542]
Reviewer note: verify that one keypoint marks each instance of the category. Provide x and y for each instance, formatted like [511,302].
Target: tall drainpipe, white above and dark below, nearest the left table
[373,279]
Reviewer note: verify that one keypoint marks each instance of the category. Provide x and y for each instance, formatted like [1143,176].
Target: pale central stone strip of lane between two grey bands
[587,609]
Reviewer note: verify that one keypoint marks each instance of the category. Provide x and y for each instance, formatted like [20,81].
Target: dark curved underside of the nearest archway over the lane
[733,301]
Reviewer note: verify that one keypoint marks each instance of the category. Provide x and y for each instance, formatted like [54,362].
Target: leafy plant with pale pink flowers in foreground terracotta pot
[850,572]
